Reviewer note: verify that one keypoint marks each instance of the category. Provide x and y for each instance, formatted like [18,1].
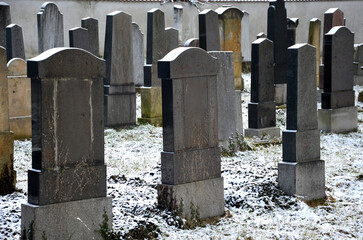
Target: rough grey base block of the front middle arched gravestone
[201,199]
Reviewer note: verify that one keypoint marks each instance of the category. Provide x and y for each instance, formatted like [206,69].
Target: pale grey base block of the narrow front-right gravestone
[303,179]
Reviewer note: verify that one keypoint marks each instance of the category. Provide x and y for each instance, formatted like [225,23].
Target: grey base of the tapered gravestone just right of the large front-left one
[121,109]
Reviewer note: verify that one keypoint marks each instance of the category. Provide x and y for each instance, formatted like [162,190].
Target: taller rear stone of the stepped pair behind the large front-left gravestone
[91,24]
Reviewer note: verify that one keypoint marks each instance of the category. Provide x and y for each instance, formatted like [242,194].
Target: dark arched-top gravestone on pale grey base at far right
[337,113]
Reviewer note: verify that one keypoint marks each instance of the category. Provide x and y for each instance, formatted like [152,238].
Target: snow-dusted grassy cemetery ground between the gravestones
[255,207]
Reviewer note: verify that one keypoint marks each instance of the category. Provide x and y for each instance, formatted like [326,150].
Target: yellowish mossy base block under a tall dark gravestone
[151,110]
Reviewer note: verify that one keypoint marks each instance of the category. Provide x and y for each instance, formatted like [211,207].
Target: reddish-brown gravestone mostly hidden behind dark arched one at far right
[332,17]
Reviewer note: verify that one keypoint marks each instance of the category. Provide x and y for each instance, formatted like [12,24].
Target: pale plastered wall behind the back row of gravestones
[23,12]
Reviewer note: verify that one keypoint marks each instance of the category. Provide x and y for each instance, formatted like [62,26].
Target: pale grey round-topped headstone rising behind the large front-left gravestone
[50,27]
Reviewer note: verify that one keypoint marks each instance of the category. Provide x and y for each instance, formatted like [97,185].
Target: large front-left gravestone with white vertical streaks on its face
[67,181]
